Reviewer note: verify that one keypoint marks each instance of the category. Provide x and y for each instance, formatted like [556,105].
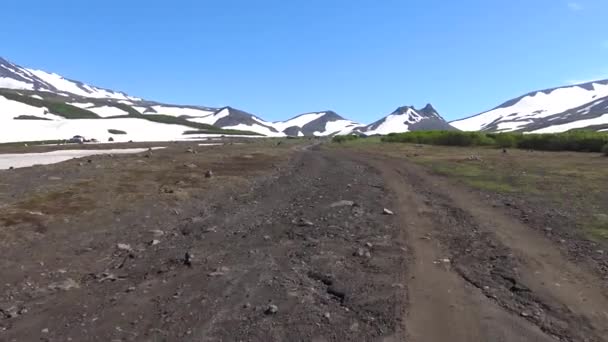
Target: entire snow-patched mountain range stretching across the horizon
[38,105]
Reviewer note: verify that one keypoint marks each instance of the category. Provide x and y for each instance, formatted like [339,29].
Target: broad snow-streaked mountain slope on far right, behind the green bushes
[546,111]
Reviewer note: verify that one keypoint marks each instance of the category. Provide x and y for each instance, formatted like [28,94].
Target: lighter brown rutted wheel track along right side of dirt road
[483,275]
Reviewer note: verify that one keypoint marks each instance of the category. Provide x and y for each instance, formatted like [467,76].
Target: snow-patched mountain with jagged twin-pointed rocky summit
[406,119]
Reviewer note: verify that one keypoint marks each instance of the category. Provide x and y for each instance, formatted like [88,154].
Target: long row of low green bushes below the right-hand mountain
[584,141]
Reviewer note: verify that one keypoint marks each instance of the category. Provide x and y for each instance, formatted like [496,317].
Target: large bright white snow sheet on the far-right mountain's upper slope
[537,105]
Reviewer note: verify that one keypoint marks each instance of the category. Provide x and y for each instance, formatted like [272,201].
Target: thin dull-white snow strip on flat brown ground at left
[30,159]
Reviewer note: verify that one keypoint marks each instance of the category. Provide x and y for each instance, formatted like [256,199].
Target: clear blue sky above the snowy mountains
[278,58]
